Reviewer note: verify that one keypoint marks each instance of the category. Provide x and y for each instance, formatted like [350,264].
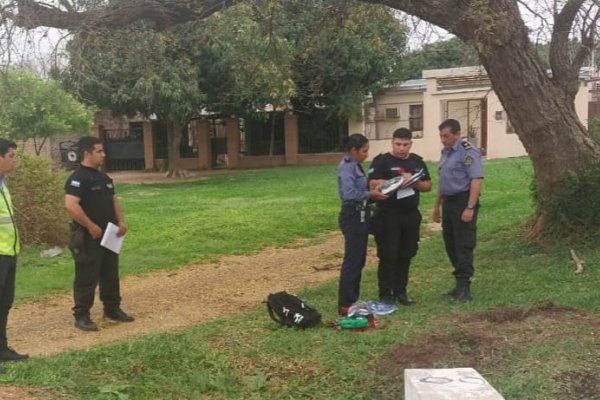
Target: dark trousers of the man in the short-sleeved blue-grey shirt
[459,237]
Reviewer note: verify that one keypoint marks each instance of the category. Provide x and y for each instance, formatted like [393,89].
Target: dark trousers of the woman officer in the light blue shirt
[356,235]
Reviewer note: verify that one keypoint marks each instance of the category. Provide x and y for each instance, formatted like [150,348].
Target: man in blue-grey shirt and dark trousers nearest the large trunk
[461,177]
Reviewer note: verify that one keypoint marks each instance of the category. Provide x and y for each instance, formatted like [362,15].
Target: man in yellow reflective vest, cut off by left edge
[9,248]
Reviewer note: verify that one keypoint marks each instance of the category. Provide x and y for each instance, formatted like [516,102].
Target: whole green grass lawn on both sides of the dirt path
[525,350]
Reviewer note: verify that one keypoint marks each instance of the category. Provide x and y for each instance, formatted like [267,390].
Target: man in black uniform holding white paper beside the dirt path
[90,200]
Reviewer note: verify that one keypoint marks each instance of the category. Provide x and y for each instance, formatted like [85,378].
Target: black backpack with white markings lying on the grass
[289,310]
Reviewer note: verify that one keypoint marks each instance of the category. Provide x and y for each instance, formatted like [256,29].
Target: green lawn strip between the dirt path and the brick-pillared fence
[182,223]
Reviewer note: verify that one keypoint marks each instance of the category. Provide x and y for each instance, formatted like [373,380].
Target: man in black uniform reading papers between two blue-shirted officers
[397,222]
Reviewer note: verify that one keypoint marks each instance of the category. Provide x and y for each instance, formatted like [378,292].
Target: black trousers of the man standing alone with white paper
[97,265]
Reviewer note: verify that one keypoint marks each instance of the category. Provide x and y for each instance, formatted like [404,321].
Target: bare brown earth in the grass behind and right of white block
[485,341]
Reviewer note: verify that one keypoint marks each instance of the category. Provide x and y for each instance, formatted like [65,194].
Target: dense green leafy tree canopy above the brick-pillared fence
[312,55]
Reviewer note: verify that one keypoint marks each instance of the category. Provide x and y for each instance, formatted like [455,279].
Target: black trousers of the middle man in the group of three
[397,236]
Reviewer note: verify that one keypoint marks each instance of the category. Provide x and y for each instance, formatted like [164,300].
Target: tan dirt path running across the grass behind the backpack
[171,300]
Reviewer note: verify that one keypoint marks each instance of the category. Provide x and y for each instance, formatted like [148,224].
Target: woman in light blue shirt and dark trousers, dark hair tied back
[353,217]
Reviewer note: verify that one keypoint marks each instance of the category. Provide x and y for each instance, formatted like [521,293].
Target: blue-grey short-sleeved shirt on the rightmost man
[458,166]
